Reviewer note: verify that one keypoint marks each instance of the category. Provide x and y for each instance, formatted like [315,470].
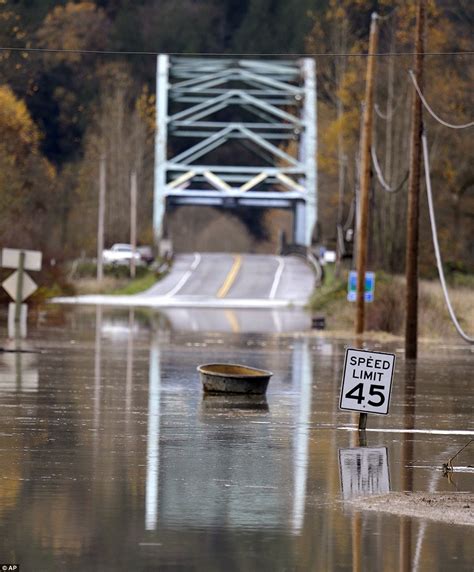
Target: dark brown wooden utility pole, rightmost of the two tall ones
[411,264]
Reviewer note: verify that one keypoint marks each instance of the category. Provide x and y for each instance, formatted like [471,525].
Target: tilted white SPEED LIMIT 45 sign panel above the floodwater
[367,381]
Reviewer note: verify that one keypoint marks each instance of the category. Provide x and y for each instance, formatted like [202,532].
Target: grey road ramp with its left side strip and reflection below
[243,283]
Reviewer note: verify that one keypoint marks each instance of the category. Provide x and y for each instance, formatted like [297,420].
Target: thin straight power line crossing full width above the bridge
[229,55]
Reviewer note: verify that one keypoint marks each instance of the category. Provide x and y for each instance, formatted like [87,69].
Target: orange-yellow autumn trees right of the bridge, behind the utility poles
[343,28]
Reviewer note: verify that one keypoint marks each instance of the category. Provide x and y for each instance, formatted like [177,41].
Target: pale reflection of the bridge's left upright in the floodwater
[153,438]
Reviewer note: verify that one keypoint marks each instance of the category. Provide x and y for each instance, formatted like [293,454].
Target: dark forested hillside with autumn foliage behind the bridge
[61,110]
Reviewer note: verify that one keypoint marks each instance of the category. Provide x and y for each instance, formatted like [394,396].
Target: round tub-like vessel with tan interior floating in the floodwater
[233,378]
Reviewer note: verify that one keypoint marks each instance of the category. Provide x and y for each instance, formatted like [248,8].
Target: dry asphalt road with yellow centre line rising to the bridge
[236,277]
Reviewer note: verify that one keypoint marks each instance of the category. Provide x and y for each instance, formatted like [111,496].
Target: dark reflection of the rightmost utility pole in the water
[406,477]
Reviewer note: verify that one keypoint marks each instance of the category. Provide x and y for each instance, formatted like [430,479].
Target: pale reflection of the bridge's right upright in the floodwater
[302,376]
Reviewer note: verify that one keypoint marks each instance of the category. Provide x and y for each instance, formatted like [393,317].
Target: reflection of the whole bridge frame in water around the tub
[237,466]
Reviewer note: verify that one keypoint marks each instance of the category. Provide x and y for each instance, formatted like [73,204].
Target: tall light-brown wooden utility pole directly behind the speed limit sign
[362,222]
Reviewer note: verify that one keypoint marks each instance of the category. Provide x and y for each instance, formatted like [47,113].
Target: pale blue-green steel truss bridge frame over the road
[207,109]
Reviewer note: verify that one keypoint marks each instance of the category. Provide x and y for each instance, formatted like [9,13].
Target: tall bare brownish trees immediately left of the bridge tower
[122,132]
